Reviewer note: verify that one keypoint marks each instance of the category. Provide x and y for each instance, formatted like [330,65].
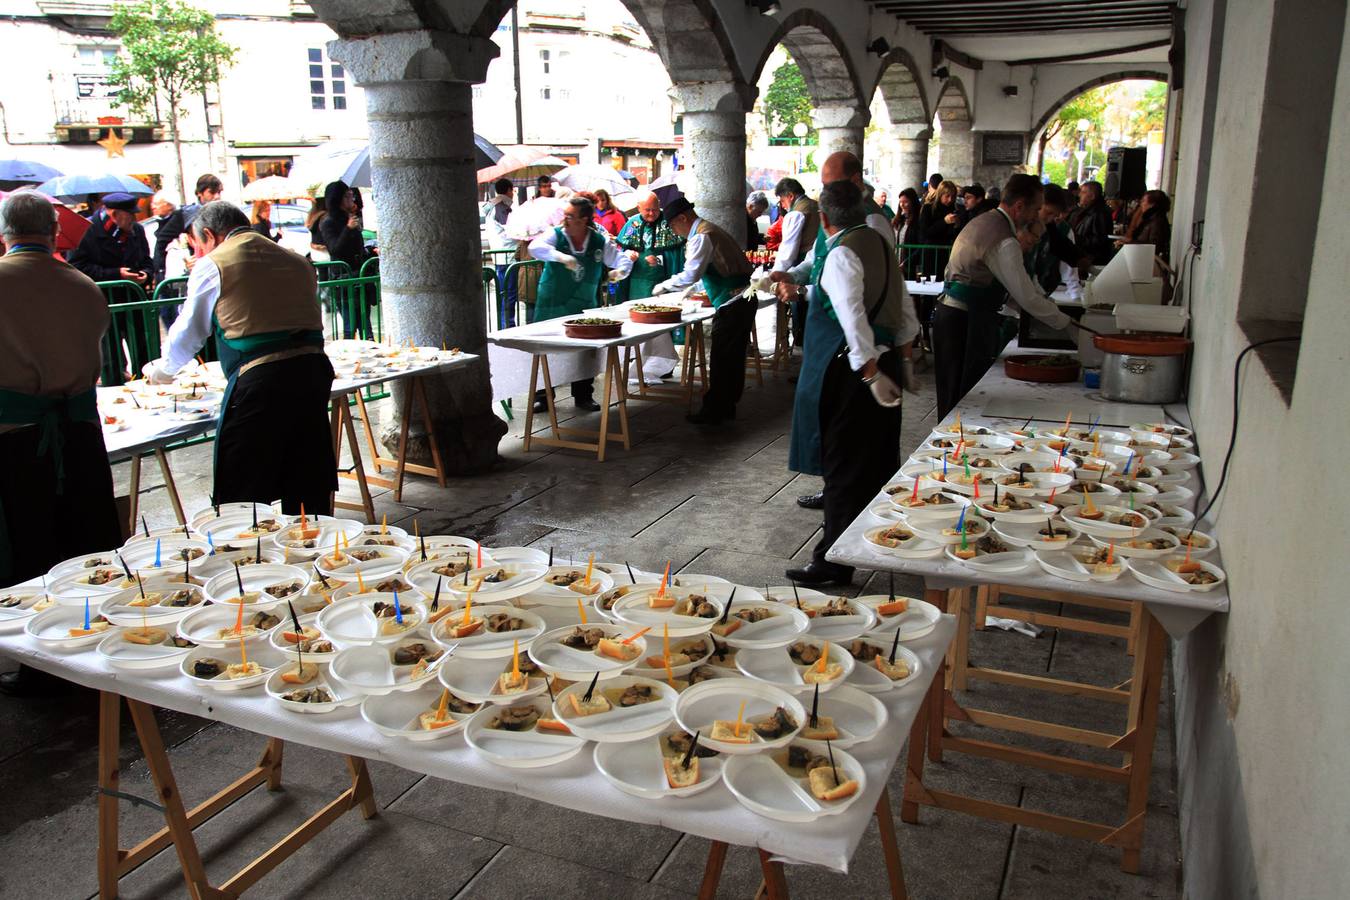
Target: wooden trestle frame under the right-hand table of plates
[1141,696]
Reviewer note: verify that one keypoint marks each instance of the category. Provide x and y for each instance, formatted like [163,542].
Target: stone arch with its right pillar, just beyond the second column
[839,107]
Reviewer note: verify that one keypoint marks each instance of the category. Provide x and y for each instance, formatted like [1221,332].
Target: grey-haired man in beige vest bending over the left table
[261,303]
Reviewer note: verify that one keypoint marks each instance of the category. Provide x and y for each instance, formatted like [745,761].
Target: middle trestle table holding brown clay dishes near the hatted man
[547,338]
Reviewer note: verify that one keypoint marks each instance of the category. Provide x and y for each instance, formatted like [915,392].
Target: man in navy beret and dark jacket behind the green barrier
[115,249]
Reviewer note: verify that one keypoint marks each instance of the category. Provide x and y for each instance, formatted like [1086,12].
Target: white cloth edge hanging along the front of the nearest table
[574,785]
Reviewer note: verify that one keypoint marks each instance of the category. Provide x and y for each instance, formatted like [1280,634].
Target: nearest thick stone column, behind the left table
[419,101]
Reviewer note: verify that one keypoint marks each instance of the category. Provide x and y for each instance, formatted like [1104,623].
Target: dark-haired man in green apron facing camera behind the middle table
[576,256]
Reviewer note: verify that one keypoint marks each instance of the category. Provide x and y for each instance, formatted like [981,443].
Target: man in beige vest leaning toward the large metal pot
[986,269]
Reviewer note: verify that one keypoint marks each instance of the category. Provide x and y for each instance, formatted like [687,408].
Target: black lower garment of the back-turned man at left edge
[48,524]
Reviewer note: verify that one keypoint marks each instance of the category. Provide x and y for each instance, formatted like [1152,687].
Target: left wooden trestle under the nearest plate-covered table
[115,862]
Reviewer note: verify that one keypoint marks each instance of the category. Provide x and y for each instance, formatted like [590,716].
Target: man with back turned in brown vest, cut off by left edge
[56,488]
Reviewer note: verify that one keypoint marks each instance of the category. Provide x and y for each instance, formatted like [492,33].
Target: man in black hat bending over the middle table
[719,260]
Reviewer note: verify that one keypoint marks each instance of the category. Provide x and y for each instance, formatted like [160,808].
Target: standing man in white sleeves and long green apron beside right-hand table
[847,410]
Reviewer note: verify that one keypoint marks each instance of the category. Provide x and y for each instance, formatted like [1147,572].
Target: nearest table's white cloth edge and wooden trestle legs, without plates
[574,785]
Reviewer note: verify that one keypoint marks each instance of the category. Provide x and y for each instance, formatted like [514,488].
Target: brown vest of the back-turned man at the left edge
[52,325]
